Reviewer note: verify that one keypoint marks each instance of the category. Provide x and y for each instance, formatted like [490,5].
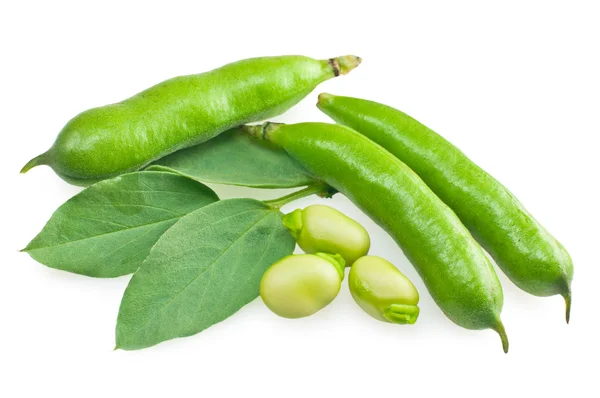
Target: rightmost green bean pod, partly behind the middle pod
[527,253]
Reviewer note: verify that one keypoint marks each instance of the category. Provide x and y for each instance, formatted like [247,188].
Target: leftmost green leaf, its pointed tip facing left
[108,229]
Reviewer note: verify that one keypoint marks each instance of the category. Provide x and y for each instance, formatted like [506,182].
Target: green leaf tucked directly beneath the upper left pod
[235,158]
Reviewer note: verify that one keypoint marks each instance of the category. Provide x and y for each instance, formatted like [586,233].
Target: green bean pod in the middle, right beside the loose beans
[455,269]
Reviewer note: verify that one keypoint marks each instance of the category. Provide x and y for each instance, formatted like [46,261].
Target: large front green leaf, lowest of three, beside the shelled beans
[201,271]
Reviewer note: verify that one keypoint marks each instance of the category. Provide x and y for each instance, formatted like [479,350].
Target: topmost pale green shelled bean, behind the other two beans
[319,228]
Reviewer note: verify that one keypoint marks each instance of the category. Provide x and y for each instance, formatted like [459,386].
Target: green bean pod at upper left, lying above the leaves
[177,113]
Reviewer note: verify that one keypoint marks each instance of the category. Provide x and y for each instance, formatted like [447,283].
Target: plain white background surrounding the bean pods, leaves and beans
[513,84]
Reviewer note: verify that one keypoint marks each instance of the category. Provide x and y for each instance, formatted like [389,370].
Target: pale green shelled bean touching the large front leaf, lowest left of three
[302,284]
